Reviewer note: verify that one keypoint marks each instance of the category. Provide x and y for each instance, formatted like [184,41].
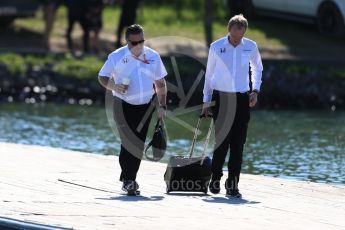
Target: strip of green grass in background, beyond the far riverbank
[164,21]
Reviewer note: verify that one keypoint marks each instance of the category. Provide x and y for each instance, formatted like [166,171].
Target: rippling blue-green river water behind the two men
[305,145]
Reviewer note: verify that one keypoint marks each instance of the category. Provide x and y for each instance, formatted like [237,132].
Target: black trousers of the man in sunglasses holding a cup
[132,122]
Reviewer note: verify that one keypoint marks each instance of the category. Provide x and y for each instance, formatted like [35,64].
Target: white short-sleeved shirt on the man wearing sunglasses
[141,71]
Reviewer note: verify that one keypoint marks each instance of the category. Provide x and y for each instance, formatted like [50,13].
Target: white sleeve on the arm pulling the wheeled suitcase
[211,63]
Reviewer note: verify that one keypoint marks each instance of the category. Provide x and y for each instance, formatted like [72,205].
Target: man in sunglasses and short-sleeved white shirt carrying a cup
[135,74]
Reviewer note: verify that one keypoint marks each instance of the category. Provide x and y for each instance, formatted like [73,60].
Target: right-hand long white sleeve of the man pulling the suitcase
[256,69]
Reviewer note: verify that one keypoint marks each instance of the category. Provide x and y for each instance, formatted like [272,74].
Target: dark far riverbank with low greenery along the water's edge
[69,80]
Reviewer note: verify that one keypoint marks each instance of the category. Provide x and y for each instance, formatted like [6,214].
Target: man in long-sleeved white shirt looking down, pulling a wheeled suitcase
[227,85]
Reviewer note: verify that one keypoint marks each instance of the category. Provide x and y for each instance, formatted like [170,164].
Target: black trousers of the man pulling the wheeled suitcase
[231,115]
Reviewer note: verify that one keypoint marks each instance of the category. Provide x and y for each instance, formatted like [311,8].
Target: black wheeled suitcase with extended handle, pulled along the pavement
[190,174]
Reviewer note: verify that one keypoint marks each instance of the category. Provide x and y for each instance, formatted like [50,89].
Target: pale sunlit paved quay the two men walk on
[45,185]
